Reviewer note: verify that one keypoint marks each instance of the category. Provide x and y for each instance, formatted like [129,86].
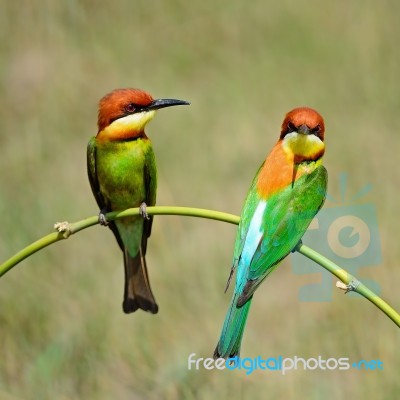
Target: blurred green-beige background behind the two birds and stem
[243,65]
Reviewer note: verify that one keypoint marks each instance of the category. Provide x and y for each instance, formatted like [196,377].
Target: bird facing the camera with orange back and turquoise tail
[285,195]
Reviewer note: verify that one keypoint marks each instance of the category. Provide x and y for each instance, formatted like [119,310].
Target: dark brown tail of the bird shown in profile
[137,292]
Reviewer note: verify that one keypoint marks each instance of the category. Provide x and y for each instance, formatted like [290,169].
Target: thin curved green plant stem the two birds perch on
[70,229]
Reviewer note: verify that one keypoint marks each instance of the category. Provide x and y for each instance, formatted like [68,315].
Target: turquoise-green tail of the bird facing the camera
[232,331]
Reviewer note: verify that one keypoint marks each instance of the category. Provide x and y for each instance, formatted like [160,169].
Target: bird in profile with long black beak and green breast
[122,174]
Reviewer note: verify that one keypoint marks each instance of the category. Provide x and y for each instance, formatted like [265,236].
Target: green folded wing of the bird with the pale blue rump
[285,219]
